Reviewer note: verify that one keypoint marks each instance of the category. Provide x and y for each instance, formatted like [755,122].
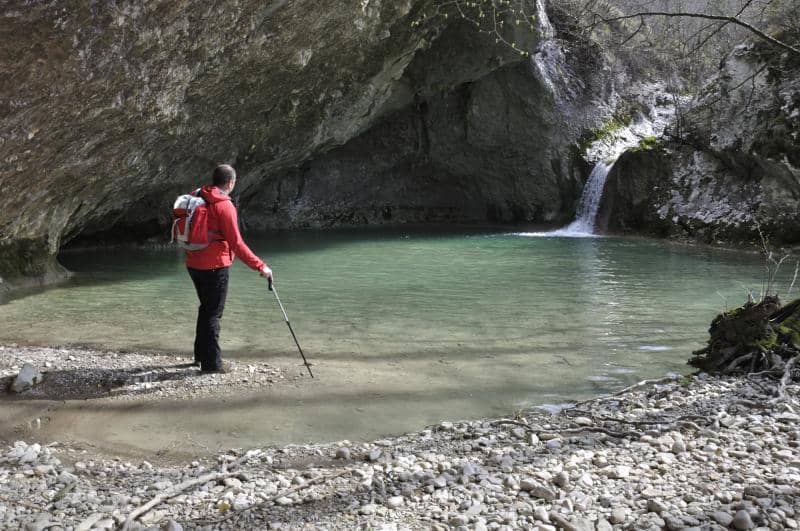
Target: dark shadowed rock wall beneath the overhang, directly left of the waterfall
[493,150]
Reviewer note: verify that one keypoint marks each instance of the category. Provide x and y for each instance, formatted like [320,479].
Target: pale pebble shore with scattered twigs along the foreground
[688,452]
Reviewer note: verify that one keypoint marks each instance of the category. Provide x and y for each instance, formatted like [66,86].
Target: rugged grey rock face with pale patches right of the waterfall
[730,164]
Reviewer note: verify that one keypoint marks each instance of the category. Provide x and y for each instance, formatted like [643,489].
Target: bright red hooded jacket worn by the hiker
[227,242]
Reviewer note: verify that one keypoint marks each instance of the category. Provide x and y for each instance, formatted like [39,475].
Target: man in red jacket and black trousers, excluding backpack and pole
[208,267]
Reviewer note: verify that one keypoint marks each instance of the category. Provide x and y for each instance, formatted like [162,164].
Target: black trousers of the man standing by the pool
[212,288]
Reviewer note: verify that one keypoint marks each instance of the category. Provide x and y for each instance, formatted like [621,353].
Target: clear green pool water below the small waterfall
[407,328]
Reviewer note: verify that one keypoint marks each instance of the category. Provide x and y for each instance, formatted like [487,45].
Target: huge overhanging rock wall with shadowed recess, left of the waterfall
[333,113]
